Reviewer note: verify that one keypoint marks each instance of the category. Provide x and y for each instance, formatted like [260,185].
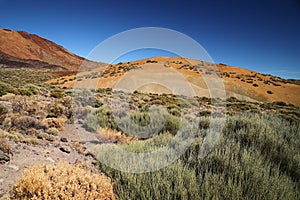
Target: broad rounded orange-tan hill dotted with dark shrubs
[240,83]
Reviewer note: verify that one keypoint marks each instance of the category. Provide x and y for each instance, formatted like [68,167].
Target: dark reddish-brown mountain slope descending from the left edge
[21,49]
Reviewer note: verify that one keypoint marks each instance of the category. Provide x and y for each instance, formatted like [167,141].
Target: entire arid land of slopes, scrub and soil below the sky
[56,123]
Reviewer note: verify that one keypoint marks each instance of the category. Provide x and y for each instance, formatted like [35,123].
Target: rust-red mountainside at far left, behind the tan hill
[27,46]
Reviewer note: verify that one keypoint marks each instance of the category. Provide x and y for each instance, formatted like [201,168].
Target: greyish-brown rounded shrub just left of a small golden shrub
[24,123]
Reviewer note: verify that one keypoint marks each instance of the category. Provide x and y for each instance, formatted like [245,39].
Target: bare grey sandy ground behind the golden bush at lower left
[25,155]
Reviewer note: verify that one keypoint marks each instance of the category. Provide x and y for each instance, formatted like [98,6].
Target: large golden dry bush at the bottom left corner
[62,181]
